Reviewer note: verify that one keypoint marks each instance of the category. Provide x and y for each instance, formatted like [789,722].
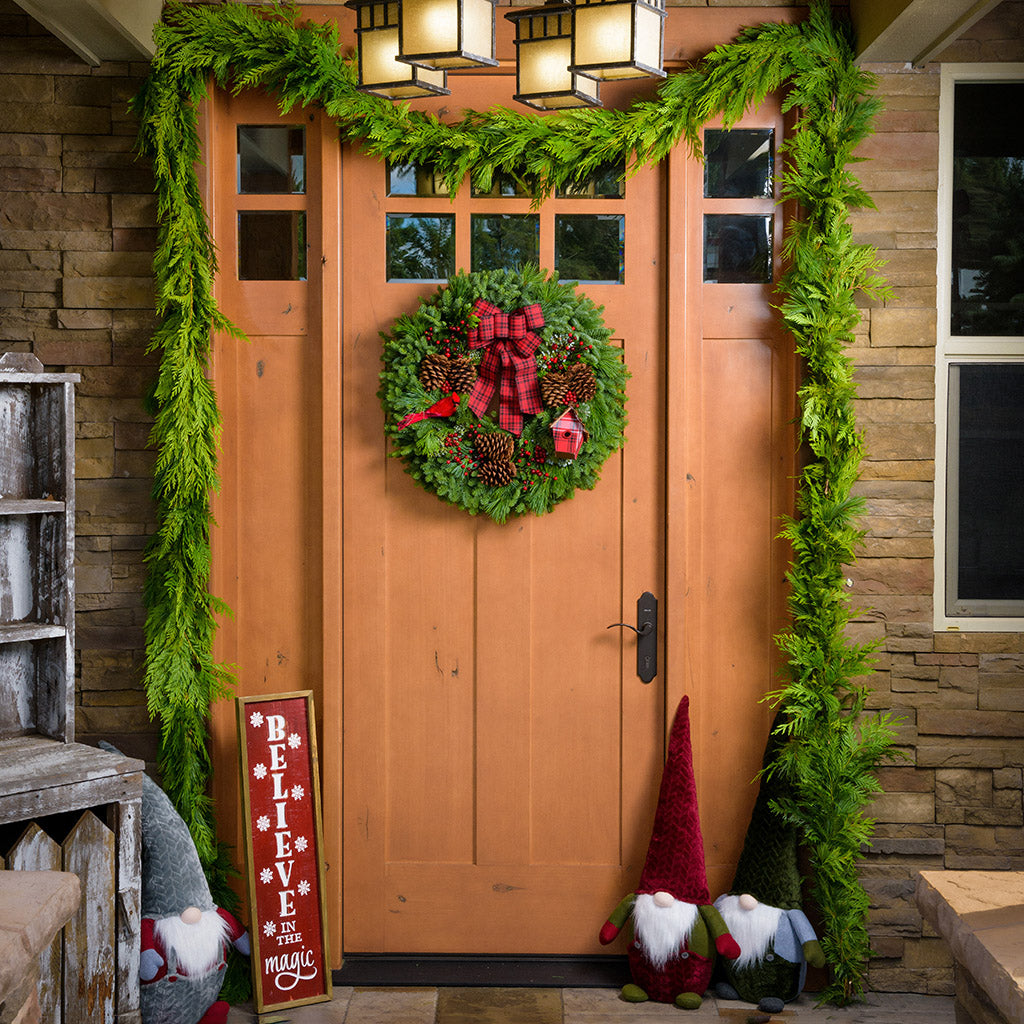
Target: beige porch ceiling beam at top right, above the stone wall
[912,31]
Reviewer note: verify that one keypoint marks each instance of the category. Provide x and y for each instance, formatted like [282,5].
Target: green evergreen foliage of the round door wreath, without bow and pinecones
[439,454]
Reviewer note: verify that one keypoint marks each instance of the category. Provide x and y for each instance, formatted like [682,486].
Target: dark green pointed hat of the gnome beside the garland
[767,868]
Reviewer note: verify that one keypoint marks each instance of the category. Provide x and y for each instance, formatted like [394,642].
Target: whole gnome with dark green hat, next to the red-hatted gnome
[763,909]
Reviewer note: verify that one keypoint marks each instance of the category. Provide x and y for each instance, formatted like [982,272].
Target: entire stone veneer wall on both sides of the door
[77,232]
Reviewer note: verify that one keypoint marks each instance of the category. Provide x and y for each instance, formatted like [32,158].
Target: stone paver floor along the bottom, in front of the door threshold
[579,1006]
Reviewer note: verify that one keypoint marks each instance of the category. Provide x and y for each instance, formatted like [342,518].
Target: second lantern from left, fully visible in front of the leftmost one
[446,34]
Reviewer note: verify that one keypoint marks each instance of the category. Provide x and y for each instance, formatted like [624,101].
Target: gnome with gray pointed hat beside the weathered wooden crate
[185,936]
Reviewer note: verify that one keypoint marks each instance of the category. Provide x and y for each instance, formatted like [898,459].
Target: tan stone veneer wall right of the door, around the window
[957,802]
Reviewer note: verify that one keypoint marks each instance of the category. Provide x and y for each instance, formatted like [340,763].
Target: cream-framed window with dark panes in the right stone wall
[979,547]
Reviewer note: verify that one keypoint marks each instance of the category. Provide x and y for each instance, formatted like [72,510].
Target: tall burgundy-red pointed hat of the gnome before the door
[675,856]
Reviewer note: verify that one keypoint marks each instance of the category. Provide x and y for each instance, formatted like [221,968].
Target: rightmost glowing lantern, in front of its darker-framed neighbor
[616,39]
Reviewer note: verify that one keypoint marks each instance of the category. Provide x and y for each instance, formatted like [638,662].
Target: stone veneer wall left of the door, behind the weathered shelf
[77,236]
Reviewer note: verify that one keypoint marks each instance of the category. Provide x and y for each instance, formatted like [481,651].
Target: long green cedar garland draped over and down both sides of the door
[833,746]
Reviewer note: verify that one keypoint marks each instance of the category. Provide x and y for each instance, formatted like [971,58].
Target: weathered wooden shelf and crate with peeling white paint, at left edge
[45,777]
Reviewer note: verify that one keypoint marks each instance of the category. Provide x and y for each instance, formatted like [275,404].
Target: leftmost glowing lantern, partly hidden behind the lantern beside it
[380,72]
